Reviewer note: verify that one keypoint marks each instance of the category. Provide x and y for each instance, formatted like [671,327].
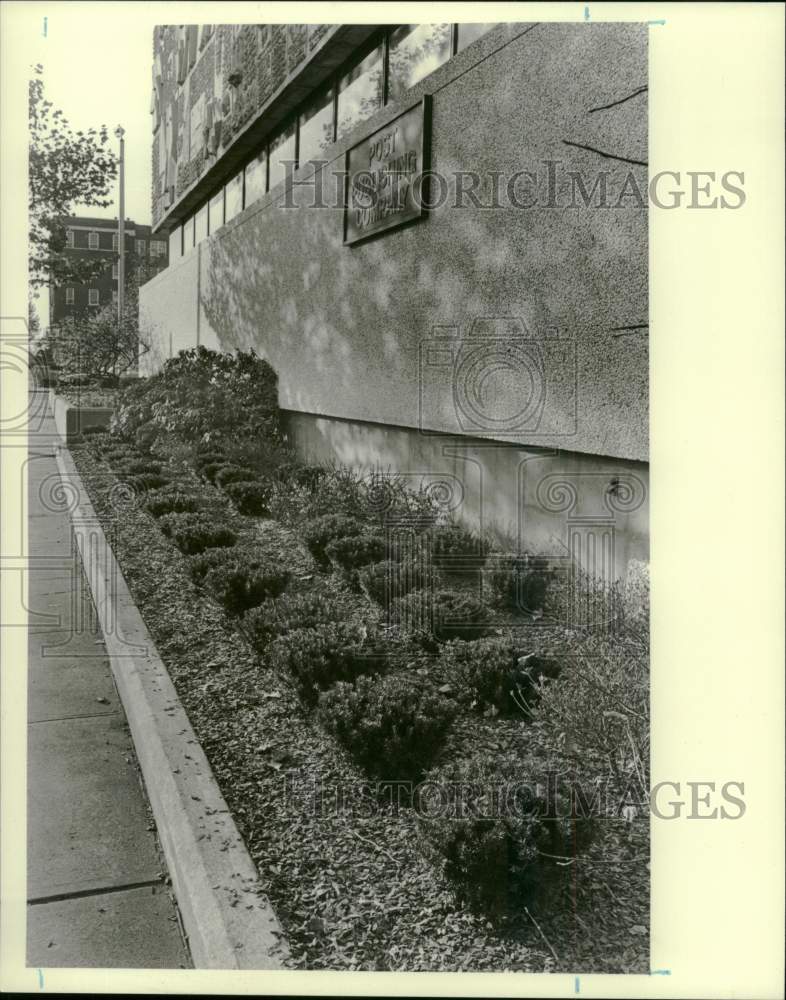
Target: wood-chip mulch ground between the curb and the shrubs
[351,884]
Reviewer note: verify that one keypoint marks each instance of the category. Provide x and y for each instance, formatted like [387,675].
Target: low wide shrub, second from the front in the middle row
[443,614]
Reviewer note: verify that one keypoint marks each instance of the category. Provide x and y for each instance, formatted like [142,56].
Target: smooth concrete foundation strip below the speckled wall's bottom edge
[541,501]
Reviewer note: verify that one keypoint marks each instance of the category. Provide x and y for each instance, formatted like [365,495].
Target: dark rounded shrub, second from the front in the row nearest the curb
[391,725]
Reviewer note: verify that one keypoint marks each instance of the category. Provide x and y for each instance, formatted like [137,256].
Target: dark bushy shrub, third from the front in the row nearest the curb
[319,657]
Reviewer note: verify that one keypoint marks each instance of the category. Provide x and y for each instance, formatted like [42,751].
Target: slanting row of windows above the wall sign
[396,61]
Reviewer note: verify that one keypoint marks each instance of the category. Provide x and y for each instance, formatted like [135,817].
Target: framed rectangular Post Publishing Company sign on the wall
[385,186]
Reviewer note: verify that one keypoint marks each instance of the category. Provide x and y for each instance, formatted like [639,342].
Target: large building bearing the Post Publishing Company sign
[438,236]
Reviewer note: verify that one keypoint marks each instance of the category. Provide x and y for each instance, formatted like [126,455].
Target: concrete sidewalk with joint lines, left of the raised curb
[96,888]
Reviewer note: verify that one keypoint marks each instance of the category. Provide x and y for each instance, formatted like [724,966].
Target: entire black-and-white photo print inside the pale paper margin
[337,491]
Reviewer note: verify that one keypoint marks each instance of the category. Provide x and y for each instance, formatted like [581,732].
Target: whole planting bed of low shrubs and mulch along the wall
[303,690]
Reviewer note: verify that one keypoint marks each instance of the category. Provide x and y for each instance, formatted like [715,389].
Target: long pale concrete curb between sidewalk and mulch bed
[229,924]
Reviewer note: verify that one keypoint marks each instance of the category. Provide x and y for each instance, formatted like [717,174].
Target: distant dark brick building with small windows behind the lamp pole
[97,239]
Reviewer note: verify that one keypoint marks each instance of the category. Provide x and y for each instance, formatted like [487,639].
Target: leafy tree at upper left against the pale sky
[65,168]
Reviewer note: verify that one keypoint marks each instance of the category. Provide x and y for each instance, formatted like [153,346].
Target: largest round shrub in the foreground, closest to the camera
[497,839]
